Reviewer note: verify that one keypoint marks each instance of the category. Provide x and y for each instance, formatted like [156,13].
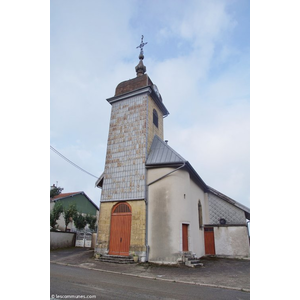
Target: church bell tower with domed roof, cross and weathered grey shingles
[136,117]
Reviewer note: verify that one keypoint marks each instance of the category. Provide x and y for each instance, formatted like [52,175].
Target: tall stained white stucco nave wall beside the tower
[173,201]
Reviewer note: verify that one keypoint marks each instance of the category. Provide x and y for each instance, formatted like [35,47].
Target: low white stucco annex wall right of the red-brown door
[232,241]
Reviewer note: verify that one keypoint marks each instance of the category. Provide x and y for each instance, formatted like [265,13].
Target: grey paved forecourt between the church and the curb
[216,272]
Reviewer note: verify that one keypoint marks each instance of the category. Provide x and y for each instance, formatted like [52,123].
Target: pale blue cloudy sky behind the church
[197,53]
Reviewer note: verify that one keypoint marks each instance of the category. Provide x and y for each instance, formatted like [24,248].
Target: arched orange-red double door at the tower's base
[120,229]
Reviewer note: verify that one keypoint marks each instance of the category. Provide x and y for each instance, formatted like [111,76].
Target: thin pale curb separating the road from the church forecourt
[153,278]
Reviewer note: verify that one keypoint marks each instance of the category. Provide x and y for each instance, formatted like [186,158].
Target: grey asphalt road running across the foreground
[92,284]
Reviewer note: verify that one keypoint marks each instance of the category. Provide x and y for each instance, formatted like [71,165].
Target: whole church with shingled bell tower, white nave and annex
[153,202]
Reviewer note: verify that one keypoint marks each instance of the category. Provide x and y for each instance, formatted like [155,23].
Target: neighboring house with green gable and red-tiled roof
[83,203]
